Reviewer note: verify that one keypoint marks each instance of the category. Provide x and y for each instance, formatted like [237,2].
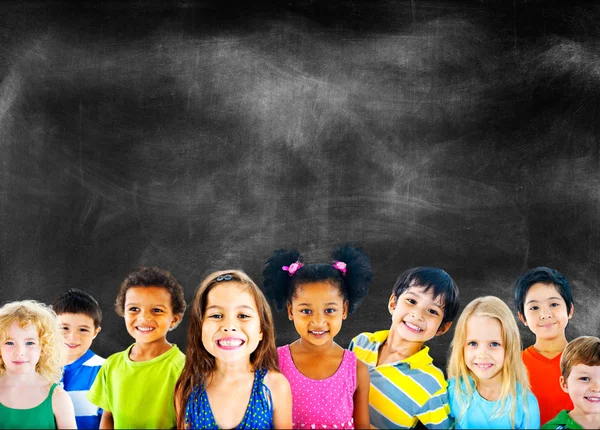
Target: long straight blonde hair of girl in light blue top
[513,370]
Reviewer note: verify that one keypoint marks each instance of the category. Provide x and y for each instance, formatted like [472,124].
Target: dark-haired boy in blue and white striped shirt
[79,316]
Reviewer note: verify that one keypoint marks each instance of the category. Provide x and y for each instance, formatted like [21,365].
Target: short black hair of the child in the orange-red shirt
[542,275]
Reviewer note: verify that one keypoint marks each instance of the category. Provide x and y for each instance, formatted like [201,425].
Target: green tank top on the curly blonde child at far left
[39,417]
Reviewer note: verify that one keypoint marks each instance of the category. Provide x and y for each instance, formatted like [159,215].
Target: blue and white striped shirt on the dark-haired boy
[77,380]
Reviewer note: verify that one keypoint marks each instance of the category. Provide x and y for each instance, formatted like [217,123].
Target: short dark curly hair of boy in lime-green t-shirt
[152,277]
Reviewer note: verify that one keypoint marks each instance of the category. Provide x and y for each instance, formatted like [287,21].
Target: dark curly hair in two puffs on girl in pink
[280,287]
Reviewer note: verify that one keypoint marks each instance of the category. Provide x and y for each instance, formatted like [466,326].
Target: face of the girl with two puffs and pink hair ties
[318,309]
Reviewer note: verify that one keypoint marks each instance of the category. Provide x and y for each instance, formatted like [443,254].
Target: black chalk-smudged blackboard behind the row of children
[197,136]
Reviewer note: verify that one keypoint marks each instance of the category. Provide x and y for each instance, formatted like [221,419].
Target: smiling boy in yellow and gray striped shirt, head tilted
[406,388]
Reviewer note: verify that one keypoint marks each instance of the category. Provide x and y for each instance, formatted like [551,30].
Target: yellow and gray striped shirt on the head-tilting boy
[405,392]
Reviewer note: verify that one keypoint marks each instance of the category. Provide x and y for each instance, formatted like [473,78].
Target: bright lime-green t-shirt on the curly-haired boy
[139,394]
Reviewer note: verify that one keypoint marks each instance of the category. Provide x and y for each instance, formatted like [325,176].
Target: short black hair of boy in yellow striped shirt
[431,277]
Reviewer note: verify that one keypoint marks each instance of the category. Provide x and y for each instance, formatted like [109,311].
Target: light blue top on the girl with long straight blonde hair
[481,413]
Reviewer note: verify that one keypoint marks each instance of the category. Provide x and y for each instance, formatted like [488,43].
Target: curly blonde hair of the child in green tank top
[43,318]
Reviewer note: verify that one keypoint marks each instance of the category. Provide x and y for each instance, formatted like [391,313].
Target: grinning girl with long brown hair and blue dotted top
[230,378]
